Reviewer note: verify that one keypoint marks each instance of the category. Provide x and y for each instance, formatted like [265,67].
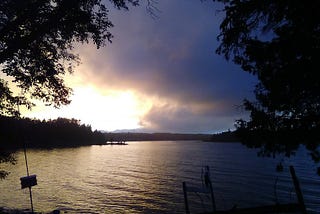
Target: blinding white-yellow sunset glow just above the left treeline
[110,111]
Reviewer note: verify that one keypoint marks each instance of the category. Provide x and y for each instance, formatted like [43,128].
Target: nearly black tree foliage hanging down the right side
[279,42]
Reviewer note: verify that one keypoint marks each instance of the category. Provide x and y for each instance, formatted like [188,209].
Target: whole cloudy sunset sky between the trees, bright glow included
[158,74]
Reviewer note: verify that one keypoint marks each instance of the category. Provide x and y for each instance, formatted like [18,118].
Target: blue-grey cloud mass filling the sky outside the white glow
[172,58]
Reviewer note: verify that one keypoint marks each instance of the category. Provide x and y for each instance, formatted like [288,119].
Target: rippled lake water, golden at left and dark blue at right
[146,177]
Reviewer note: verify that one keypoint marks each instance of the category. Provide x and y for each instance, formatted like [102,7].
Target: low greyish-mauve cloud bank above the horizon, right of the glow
[185,119]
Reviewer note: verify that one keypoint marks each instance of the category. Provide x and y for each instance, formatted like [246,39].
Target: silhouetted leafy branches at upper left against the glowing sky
[36,42]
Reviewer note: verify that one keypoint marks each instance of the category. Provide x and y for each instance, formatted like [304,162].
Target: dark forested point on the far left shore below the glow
[61,132]
